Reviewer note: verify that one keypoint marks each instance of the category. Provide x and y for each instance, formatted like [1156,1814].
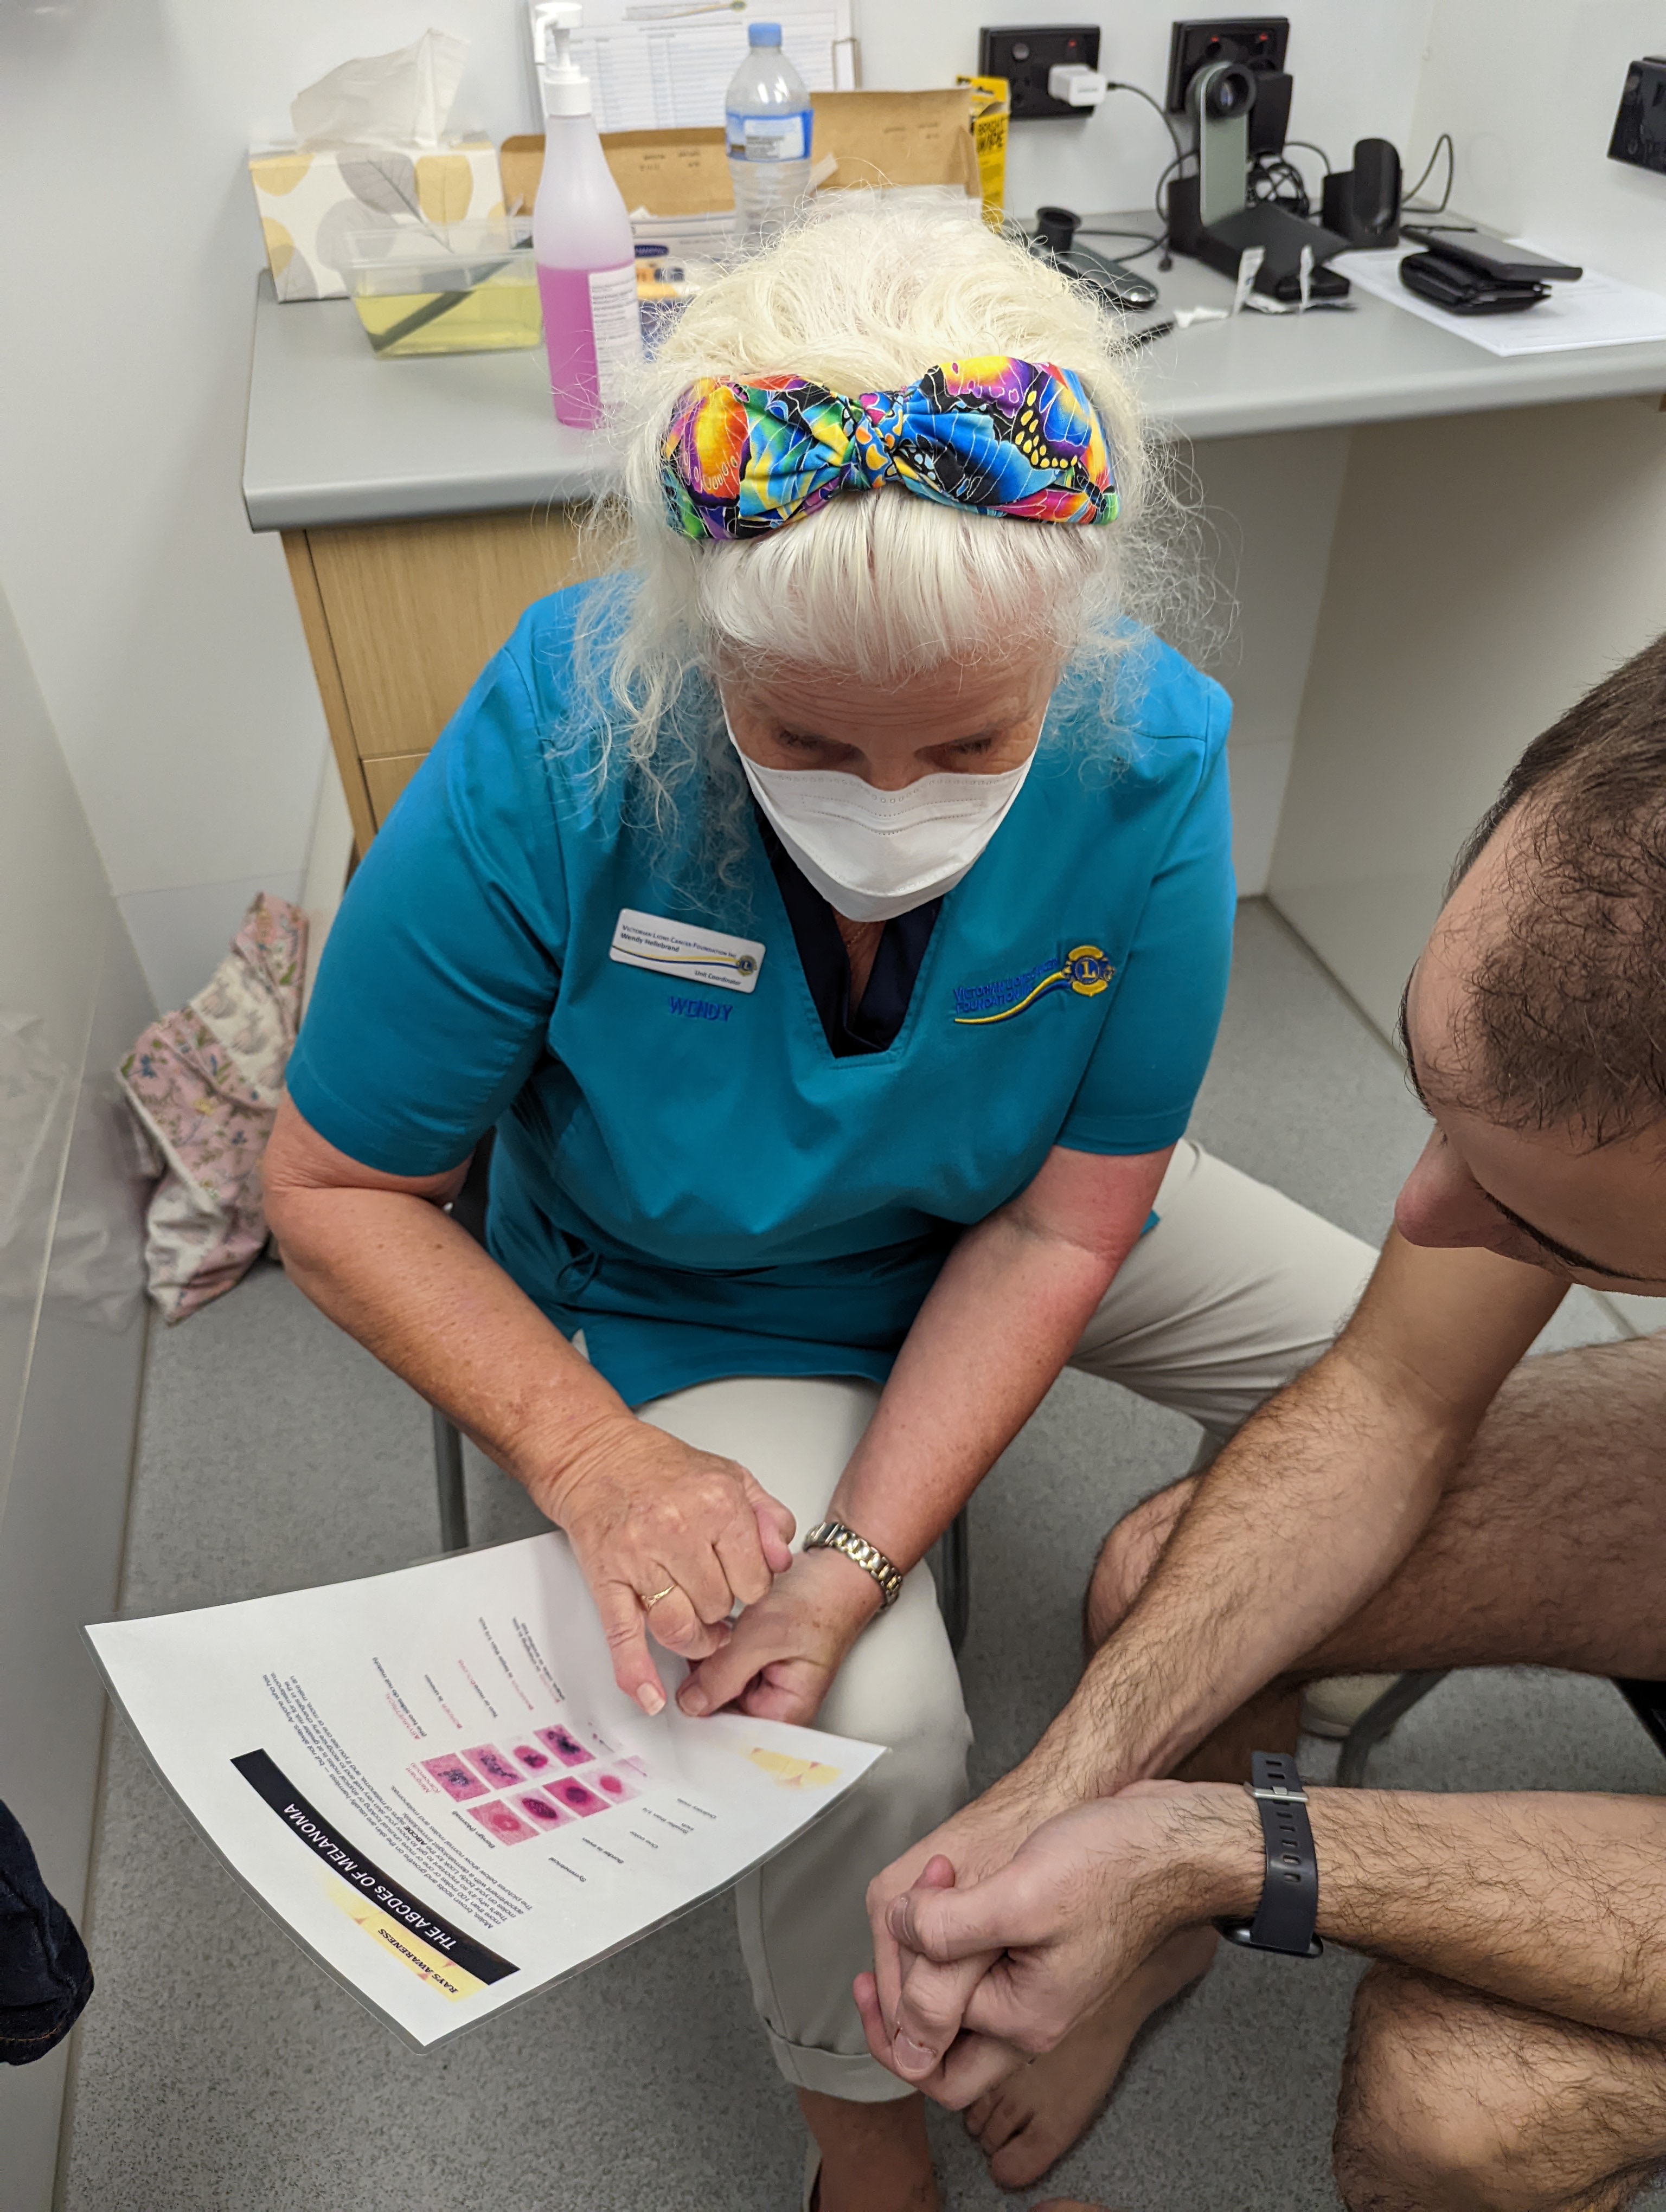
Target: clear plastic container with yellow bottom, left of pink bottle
[446,289]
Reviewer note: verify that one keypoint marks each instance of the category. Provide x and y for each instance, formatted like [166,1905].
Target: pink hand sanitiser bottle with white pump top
[587,264]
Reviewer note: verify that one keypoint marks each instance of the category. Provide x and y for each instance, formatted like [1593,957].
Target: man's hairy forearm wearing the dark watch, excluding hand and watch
[1556,1903]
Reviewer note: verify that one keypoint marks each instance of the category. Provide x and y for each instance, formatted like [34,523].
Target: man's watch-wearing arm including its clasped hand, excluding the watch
[1554,1903]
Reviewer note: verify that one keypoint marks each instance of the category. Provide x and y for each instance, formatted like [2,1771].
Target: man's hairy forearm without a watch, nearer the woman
[1302,1519]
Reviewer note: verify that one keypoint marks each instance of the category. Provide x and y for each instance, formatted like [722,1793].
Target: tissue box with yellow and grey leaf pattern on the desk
[313,205]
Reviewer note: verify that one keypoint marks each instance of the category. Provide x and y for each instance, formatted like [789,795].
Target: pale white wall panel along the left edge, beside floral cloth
[72,1331]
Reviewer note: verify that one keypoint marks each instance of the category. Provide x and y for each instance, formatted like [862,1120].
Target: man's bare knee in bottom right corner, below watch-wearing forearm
[1455,2103]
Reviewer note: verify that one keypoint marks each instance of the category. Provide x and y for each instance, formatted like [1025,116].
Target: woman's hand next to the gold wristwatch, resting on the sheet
[789,1647]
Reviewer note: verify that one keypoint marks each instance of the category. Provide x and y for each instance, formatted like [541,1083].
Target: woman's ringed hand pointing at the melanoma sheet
[649,1514]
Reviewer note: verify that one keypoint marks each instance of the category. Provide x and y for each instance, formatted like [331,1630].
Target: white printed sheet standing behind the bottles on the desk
[665,65]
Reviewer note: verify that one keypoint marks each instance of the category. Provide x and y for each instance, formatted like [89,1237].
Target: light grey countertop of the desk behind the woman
[340,437]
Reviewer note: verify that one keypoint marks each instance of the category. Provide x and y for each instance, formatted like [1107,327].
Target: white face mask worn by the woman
[875,855]
